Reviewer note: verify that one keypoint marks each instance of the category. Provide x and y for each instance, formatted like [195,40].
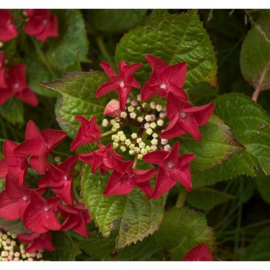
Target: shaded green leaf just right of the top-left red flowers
[72,43]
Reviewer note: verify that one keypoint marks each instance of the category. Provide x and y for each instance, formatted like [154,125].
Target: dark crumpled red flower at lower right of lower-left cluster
[76,218]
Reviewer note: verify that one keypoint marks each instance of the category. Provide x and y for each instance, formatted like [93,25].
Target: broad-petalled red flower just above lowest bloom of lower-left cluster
[39,216]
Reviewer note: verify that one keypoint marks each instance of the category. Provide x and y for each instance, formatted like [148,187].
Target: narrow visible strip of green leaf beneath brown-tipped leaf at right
[240,163]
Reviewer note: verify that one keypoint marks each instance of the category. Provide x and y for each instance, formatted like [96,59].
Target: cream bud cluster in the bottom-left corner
[12,250]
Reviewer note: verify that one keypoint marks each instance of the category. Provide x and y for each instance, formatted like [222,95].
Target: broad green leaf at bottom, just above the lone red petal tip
[181,230]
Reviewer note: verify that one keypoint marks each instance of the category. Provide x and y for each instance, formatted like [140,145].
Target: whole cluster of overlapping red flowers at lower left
[19,201]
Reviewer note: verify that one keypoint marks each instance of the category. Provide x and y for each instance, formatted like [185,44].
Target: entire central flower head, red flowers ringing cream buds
[151,123]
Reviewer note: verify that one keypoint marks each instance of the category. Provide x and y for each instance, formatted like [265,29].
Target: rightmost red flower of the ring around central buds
[185,117]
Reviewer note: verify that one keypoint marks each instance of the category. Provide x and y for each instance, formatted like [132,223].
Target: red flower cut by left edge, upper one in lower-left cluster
[14,164]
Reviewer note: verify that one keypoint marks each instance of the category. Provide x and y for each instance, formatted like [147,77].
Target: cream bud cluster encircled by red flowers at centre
[149,117]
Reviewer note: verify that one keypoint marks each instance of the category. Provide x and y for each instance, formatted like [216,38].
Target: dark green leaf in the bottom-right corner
[258,250]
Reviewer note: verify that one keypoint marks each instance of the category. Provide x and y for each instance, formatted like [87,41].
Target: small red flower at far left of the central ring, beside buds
[88,132]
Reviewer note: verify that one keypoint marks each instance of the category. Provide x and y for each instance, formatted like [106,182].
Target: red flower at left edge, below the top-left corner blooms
[17,86]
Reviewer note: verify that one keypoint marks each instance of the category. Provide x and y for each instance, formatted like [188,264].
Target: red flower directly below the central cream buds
[124,178]
